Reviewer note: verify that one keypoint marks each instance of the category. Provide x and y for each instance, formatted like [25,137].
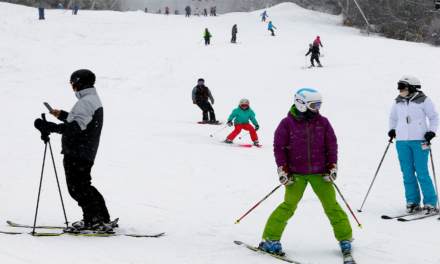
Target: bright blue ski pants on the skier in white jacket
[414,165]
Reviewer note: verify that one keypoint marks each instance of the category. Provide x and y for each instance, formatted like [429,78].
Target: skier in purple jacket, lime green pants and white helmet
[306,151]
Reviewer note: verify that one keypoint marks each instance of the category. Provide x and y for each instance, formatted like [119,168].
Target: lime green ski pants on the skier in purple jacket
[326,193]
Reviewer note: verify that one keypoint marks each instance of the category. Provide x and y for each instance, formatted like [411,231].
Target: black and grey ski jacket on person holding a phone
[82,126]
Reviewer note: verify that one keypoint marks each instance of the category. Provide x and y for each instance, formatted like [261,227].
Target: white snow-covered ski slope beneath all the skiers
[160,171]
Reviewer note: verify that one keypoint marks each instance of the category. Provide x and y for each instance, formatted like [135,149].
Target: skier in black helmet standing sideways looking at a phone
[81,133]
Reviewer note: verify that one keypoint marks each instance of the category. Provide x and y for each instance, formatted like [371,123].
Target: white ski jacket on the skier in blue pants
[408,117]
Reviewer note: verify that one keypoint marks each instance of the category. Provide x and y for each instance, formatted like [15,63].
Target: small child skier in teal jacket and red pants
[242,114]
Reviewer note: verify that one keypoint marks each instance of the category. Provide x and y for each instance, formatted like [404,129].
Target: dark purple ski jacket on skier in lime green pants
[305,147]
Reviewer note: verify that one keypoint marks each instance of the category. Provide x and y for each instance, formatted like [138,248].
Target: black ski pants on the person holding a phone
[80,188]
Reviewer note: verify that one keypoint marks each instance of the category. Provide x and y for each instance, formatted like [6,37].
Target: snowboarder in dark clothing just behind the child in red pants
[200,95]
